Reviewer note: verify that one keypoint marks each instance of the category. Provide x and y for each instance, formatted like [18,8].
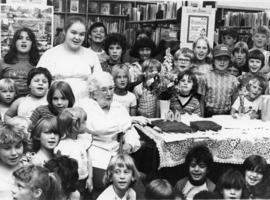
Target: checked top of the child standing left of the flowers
[147,101]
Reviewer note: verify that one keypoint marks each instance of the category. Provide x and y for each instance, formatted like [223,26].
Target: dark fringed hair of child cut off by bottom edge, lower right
[231,179]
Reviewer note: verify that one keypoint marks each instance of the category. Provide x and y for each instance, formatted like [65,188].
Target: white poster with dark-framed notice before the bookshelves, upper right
[197,22]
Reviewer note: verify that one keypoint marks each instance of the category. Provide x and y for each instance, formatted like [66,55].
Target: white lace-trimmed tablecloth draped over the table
[238,139]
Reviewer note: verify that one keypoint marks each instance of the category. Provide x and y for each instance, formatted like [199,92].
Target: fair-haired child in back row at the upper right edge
[260,38]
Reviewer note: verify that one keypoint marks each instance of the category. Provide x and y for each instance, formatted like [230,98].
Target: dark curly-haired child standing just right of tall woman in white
[115,46]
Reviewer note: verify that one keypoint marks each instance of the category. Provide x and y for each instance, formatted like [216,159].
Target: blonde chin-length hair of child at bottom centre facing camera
[120,160]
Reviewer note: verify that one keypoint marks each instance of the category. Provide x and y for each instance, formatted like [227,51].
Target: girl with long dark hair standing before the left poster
[22,56]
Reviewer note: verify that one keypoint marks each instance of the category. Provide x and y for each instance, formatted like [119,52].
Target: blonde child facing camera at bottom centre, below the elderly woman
[120,176]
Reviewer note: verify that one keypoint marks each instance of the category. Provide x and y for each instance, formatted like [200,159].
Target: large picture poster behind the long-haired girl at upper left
[36,17]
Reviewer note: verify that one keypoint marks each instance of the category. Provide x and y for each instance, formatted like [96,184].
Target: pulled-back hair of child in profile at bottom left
[37,177]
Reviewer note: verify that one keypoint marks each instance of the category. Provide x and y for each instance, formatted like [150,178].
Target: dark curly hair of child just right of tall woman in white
[115,38]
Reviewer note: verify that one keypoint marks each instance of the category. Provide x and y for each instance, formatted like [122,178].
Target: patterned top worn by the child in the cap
[218,89]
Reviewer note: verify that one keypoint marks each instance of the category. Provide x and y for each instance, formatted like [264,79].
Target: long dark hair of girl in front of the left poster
[11,56]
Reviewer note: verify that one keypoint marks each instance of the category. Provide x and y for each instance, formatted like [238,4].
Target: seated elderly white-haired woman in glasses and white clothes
[106,120]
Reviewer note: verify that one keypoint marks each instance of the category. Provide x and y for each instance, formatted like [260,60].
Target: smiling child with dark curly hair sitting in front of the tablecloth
[198,161]
